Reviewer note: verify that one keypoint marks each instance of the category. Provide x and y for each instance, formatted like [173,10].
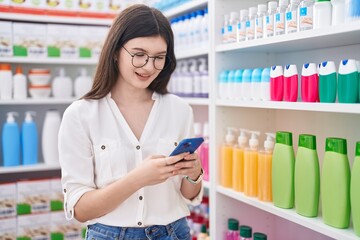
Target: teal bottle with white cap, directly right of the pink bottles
[327,82]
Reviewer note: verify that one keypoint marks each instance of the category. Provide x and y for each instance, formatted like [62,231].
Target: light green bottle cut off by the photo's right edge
[355,190]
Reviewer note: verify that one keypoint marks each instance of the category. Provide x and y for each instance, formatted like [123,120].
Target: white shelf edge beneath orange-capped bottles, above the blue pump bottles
[42,101]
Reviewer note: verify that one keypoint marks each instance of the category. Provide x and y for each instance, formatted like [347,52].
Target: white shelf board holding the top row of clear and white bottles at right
[333,36]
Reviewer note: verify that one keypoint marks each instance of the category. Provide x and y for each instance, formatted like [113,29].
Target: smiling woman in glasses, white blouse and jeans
[114,142]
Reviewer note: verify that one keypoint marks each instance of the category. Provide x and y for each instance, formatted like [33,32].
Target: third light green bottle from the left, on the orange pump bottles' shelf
[335,184]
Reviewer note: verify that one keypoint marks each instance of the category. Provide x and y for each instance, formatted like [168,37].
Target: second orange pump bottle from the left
[238,161]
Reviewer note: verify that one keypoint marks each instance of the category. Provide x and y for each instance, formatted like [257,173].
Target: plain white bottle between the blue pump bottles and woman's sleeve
[49,137]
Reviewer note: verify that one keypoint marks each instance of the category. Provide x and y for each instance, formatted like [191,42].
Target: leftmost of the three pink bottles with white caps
[276,83]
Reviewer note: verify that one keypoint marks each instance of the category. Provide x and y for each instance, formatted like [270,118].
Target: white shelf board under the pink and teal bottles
[301,106]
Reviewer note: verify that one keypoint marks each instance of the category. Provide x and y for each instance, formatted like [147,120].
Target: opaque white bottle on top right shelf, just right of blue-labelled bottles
[322,14]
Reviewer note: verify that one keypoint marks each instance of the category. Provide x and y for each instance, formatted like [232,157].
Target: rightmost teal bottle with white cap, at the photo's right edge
[348,82]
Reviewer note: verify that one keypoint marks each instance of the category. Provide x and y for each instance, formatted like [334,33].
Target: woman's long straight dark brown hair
[135,21]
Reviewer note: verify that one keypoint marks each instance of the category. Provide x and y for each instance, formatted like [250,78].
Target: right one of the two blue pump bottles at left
[29,140]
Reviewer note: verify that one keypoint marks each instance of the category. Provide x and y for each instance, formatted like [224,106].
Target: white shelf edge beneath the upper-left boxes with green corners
[62,61]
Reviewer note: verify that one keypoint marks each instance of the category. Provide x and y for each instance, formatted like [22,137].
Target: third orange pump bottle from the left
[251,166]
